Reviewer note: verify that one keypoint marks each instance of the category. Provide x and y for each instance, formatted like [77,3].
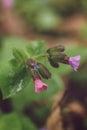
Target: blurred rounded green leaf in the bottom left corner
[16,121]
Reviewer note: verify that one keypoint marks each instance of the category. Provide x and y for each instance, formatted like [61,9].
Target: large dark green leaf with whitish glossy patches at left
[13,78]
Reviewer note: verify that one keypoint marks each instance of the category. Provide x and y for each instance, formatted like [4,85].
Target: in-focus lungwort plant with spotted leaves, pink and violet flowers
[33,62]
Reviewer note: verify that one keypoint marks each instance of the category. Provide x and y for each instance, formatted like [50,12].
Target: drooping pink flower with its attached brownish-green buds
[37,71]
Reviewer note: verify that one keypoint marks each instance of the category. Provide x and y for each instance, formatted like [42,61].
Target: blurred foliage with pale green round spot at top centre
[39,14]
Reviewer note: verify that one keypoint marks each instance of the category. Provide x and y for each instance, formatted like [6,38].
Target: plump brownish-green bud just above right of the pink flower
[44,72]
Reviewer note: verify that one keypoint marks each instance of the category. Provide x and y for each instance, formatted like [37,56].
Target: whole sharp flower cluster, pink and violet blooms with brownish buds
[55,56]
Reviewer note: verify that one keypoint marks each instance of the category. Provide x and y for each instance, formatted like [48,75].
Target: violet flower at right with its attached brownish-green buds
[57,55]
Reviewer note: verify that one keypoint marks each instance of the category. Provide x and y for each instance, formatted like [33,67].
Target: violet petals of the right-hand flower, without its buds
[74,62]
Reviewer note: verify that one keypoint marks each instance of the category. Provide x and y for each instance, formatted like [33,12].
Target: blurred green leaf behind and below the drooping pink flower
[55,84]
